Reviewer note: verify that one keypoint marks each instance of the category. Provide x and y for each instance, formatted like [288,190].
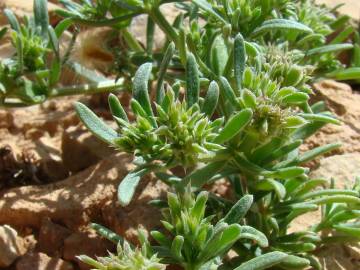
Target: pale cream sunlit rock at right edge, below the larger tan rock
[343,168]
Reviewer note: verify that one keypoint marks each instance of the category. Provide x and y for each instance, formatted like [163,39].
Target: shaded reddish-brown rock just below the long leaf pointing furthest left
[81,149]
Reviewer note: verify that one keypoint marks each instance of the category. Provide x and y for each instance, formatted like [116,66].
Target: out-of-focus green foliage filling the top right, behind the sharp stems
[299,27]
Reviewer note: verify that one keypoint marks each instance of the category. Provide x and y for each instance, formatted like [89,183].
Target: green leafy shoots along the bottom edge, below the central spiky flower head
[194,241]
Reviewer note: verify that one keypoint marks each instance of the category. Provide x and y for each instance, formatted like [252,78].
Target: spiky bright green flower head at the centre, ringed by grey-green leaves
[182,135]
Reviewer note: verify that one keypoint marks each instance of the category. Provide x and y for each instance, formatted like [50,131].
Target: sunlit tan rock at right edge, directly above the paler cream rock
[344,103]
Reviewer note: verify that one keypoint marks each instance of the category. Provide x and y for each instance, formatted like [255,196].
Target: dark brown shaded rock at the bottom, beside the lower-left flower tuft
[85,243]
